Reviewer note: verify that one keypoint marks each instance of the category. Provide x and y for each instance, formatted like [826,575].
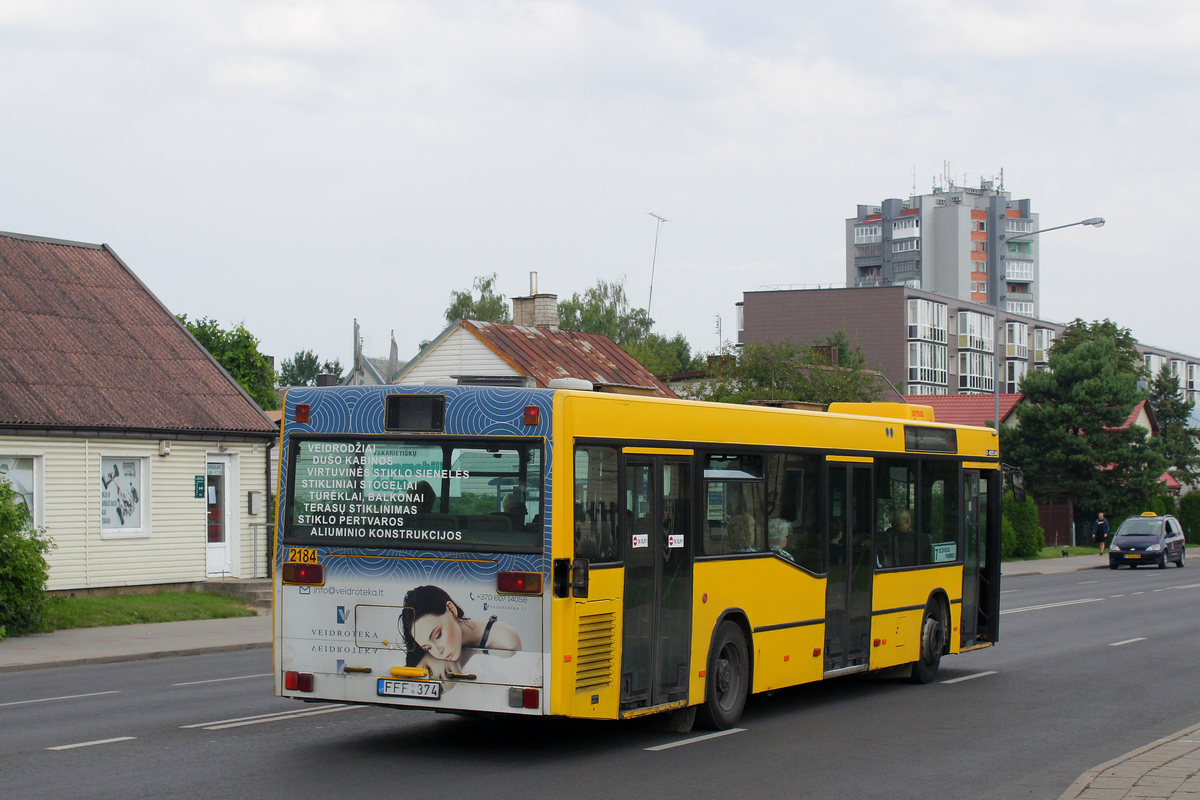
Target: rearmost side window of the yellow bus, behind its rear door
[596,504]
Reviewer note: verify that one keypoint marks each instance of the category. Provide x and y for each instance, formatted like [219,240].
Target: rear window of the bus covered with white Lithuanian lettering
[416,495]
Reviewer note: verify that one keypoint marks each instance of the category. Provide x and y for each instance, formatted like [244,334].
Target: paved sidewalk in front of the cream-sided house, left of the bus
[91,646]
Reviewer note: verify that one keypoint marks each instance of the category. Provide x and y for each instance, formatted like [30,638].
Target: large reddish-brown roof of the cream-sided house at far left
[85,345]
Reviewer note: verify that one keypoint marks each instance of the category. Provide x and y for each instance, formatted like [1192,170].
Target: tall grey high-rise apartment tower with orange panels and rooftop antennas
[971,244]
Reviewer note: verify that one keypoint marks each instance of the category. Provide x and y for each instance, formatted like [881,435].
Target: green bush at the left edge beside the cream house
[23,569]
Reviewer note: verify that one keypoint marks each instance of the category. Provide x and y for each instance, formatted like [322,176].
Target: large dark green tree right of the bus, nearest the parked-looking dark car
[1072,436]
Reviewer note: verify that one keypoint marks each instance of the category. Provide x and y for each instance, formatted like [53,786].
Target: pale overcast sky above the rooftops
[296,166]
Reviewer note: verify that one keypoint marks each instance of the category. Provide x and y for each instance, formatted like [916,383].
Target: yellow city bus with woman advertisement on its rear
[590,555]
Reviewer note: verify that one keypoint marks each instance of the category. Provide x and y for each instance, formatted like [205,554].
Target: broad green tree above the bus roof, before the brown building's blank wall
[784,371]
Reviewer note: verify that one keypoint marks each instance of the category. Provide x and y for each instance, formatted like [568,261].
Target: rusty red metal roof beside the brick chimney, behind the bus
[549,353]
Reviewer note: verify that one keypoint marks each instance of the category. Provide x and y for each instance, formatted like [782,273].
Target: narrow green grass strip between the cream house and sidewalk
[129,610]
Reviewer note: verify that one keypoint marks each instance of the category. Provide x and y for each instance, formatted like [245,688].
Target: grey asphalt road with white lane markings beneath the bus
[1091,666]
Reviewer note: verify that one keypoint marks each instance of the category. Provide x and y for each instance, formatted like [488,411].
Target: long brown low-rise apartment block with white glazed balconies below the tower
[923,342]
